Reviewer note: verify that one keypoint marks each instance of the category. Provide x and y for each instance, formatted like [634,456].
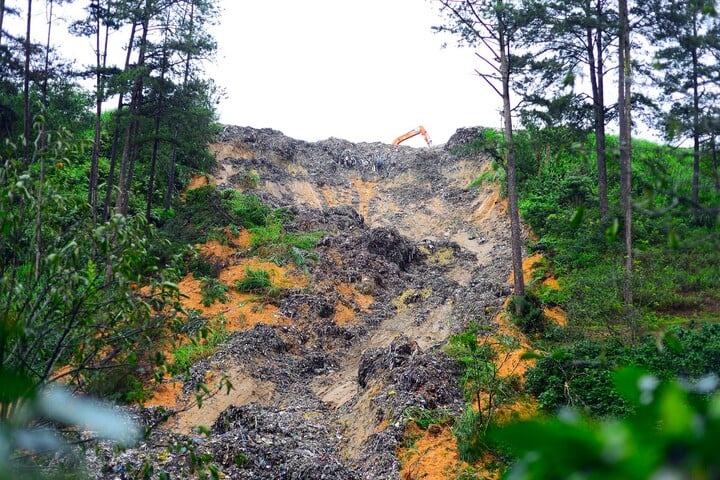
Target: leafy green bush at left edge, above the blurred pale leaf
[68,295]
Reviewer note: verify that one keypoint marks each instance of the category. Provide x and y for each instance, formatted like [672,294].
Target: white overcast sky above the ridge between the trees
[365,70]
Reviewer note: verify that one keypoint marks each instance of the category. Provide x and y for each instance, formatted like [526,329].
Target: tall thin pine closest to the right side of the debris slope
[492,27]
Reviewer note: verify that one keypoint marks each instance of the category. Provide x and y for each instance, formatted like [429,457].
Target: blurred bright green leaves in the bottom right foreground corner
[671,433]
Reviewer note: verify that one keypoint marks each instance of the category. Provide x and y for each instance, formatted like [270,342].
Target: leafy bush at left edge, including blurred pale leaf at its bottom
[81,303]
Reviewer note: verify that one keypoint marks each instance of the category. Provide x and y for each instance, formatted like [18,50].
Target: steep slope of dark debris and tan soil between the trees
[409,258]
